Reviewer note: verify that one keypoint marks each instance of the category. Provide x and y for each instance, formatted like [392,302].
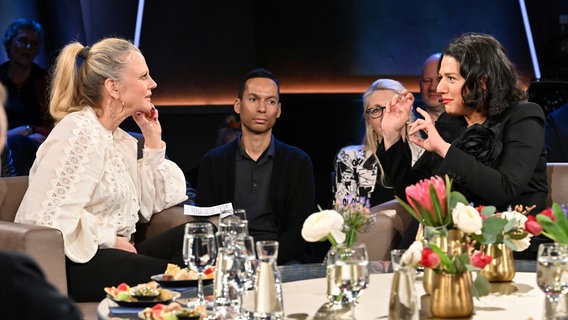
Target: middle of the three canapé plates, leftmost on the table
[140,296]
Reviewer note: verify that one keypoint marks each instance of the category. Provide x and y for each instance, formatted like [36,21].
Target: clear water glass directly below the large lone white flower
[349,272]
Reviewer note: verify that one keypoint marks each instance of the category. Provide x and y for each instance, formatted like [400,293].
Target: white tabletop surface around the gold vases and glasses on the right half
[520,299]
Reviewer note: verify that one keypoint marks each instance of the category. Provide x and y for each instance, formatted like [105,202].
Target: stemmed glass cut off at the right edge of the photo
[552,272]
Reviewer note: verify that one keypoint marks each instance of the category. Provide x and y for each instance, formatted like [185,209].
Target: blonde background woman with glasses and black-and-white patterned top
[359,173]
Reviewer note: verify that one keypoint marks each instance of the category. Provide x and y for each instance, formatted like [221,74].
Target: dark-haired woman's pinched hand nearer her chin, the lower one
[433,143]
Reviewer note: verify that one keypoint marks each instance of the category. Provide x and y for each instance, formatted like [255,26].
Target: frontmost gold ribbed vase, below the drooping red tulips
[452,297]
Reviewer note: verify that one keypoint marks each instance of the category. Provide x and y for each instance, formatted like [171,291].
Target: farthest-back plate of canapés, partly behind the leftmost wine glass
[177,277]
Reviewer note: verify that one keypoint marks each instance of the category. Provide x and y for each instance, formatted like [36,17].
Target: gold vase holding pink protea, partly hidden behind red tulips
[449,241]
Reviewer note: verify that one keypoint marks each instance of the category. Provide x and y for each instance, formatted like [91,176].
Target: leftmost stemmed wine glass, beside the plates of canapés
[199,252]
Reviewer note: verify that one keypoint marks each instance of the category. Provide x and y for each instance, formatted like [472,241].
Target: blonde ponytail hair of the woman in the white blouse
[73,88]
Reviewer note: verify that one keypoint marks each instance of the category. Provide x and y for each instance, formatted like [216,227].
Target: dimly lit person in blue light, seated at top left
[29,121]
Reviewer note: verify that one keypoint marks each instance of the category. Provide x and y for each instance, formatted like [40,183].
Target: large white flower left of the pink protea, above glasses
[319,224]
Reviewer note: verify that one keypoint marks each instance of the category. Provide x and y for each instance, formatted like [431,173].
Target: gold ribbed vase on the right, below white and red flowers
[502,266]
